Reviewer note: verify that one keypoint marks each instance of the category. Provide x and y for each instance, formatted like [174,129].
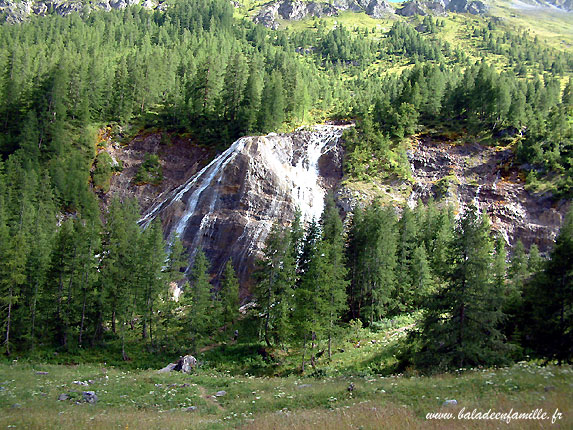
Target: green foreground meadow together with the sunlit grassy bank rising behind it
[272,394]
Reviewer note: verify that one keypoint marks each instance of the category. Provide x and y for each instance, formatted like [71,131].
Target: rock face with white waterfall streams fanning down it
[228,208]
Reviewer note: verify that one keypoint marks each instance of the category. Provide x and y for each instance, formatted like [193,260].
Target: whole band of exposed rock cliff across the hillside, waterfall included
[227,204]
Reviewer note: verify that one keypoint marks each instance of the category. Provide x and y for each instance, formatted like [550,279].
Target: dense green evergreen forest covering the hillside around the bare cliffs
[75,274]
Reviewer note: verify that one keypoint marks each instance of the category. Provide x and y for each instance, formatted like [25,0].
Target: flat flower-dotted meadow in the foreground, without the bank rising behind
[146,399]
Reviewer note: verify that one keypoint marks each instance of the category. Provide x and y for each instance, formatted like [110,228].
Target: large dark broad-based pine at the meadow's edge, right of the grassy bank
[460,327]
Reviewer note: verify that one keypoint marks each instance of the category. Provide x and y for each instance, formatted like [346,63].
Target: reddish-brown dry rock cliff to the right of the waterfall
[473,174]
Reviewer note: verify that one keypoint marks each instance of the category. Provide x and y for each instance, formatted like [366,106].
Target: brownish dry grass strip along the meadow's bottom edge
[364,415]
